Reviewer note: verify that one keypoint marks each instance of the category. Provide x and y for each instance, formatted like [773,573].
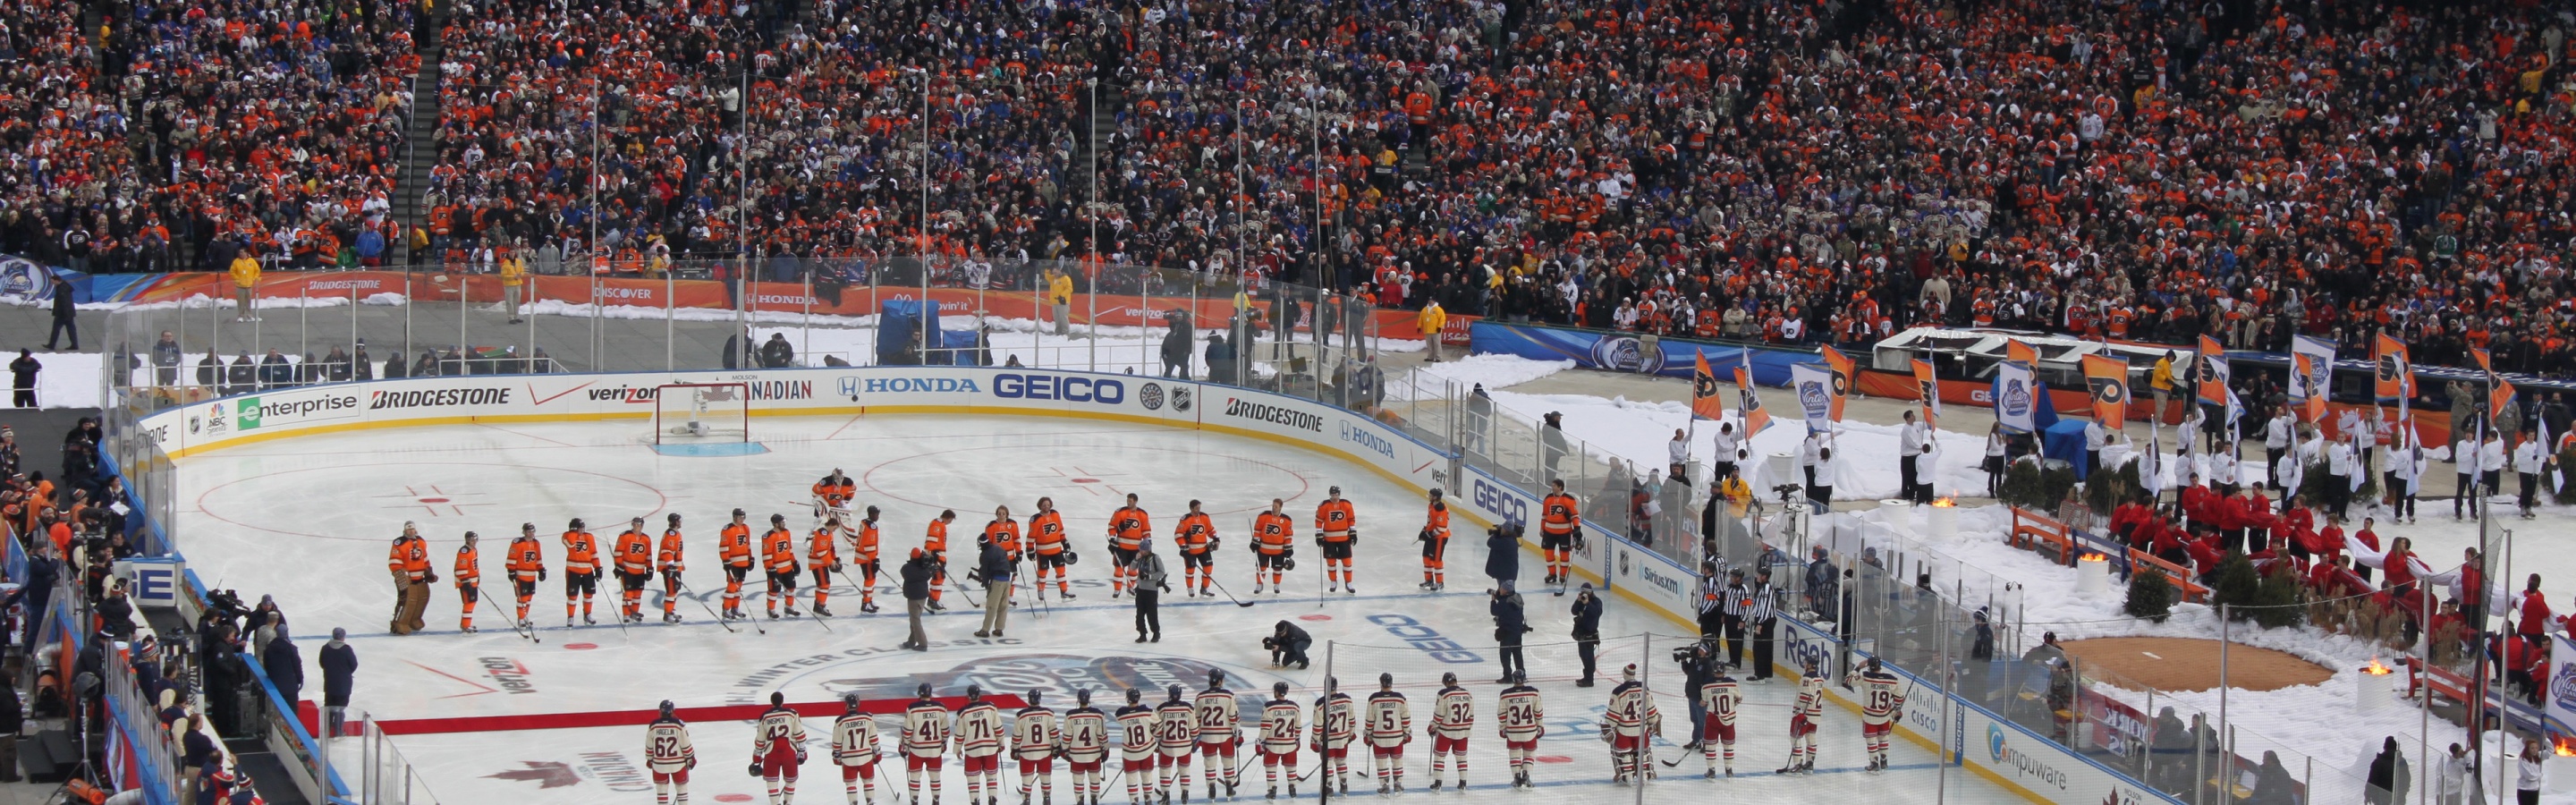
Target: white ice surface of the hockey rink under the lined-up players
[310,520]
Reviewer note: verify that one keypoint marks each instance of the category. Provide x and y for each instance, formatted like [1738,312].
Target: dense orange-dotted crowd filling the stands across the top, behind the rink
[1730,169]
